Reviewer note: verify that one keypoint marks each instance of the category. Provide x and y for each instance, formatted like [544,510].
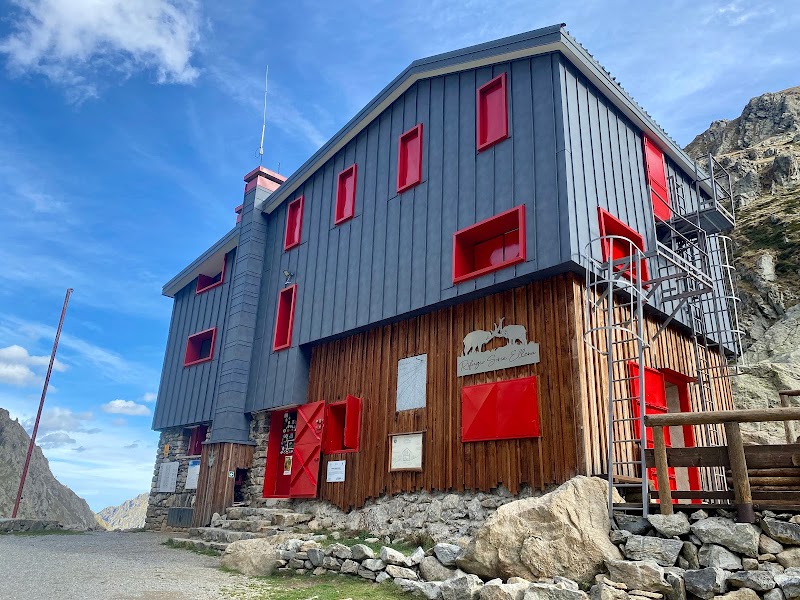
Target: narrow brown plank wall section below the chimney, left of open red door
[214,487]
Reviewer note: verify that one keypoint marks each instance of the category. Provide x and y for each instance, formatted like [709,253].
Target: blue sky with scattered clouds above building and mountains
[126,128]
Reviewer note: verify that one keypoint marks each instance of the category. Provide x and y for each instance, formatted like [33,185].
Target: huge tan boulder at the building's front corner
[562,533]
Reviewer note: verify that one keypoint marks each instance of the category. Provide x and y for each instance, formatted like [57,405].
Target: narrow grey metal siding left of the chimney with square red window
[186,394]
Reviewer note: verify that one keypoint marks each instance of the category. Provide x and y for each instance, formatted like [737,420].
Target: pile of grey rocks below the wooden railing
[707,557]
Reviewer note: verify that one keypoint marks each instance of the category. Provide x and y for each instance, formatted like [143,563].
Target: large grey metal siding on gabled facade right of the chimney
[395,256]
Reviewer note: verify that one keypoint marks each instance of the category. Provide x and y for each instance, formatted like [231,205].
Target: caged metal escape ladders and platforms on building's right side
[688,276]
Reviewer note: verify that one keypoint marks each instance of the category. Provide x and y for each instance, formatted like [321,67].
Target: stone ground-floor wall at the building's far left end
[159,503]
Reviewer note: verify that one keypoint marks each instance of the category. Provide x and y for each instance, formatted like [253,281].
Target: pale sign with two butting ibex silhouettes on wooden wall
[517,351]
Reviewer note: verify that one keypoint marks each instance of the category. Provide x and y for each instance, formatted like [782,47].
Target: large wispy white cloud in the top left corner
[70,41]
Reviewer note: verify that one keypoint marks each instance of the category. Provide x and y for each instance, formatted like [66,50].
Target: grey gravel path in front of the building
[104,566]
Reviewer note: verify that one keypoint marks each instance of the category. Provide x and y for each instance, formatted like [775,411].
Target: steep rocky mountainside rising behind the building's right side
[761,150]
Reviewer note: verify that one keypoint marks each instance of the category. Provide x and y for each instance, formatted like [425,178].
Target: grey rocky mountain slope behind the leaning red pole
[44,497]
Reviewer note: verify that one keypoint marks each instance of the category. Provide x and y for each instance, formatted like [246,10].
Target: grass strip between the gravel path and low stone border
[323,587]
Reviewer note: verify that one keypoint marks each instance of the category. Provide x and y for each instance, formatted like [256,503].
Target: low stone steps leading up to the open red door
[246,523]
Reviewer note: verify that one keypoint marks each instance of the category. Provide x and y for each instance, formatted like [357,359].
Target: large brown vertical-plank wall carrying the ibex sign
[365,365]
